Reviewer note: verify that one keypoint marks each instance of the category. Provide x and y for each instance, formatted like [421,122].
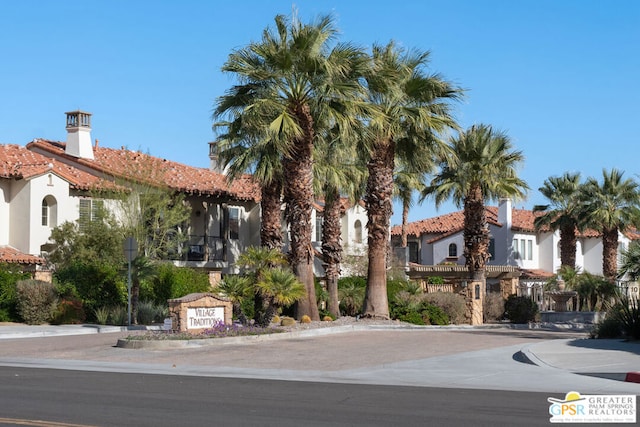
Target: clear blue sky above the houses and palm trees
[560,77]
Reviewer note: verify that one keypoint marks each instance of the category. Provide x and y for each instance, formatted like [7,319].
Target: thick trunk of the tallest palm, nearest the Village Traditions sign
[298,195]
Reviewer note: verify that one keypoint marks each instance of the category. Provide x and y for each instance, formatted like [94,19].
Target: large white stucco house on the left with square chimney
[49,182]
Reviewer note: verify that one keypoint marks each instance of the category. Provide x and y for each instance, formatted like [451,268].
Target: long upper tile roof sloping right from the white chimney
[135,165]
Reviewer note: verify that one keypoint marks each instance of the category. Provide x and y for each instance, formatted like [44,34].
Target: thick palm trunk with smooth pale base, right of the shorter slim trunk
[379,210]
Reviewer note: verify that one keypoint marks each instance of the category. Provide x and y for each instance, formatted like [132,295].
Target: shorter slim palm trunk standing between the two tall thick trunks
[332,248]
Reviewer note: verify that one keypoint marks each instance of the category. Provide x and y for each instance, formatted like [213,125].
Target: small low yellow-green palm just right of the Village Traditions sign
[279,288]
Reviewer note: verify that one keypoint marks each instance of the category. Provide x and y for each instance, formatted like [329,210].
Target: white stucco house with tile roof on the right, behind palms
[517,250]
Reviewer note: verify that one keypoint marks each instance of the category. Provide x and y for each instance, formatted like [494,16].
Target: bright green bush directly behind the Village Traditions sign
[175,282]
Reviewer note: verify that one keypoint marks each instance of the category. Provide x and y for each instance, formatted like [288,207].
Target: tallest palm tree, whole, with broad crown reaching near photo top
[297,83]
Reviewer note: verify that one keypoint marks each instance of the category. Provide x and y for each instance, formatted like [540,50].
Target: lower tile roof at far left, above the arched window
[16,162]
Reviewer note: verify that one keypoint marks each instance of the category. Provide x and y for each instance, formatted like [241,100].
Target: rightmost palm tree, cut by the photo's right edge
[611,207]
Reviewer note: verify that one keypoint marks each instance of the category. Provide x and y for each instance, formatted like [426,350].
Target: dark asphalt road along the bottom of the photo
[53,397]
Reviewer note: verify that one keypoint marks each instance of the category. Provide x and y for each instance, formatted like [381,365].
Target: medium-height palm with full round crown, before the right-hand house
[480,166]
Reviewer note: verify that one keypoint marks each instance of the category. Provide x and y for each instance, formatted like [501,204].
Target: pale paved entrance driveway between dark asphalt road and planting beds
[476,358]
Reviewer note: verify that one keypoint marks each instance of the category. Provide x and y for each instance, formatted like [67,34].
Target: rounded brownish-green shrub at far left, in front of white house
[36,300]
